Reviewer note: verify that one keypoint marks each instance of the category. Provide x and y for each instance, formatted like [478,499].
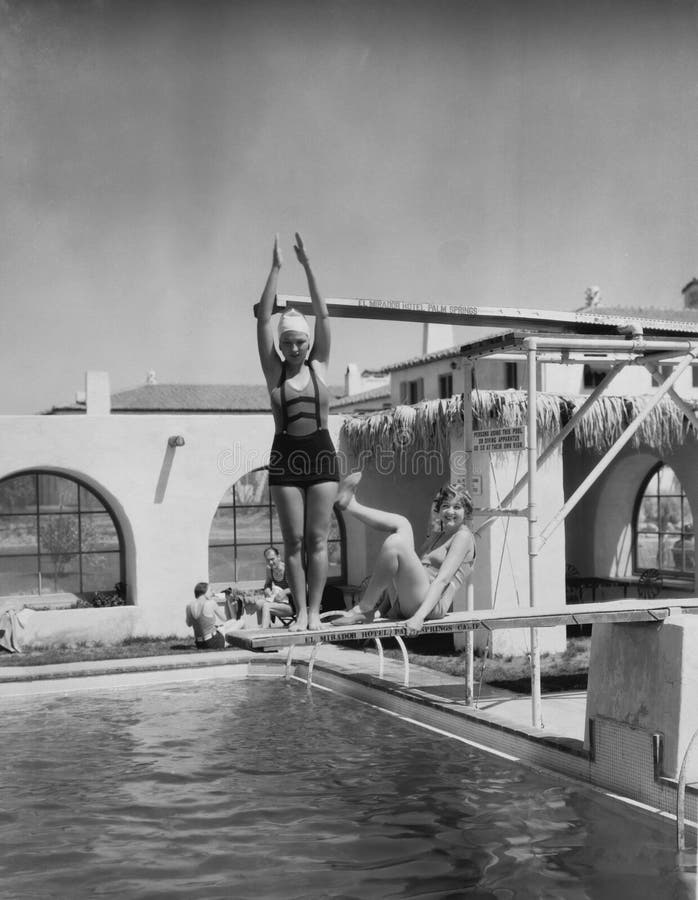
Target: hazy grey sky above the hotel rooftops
[475,152]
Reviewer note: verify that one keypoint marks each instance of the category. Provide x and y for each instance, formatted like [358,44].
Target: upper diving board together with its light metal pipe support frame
[550,336]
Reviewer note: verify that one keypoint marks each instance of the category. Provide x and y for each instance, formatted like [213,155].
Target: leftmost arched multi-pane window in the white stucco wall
[56,535]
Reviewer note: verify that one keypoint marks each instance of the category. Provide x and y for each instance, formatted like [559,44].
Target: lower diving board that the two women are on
[580,614]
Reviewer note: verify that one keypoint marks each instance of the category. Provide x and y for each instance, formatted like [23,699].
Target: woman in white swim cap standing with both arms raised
[303,473]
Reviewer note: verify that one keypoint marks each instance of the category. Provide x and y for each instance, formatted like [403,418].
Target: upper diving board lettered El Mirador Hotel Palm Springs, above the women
[538,320]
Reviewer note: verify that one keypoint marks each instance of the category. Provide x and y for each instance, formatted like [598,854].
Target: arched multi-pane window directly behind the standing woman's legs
[245,523]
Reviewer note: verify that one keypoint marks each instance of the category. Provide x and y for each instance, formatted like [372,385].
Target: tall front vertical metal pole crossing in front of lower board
[536,715]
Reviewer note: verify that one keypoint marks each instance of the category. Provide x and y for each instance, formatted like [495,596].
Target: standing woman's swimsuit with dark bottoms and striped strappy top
[301,458]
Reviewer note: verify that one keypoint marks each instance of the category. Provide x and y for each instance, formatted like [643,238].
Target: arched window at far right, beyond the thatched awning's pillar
[663,526]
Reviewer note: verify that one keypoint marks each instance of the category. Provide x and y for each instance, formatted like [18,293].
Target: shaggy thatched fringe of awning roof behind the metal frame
[427,425]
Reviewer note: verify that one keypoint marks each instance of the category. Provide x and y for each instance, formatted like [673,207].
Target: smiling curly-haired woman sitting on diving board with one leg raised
[426,581]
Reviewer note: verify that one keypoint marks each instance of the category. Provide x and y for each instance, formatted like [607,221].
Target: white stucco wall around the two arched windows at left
[163,497]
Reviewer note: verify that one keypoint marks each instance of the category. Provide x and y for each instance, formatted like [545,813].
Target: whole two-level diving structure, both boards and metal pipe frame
[666,346]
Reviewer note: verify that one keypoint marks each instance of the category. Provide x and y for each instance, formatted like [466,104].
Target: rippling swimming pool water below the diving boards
[262,789]
